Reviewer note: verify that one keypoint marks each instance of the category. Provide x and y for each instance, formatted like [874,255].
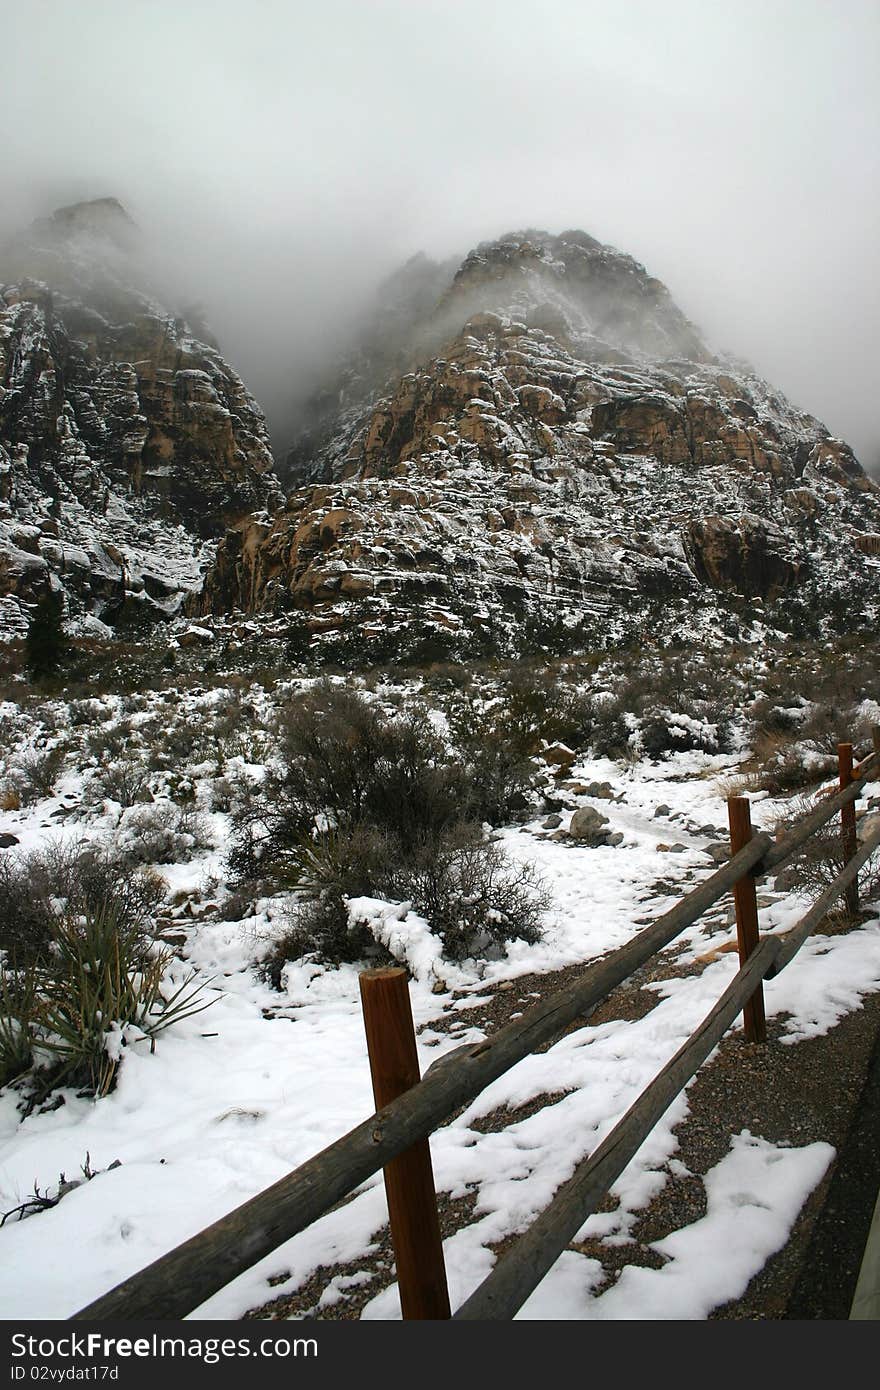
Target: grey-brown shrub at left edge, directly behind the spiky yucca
[76,878]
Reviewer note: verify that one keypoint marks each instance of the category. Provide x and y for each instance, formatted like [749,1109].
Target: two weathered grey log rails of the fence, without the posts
[181,1281]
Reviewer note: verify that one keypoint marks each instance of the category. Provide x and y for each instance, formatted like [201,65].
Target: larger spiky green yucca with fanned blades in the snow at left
[105,988]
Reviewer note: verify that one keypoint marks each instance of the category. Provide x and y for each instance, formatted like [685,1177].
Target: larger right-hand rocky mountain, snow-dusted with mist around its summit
[558,452]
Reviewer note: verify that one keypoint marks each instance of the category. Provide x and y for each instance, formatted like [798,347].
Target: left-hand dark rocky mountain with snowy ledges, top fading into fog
[126,441]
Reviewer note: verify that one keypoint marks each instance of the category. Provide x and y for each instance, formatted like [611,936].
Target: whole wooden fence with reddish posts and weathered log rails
[187,1277]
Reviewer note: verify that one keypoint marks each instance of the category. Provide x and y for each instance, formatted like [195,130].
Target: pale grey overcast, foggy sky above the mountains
[284,155]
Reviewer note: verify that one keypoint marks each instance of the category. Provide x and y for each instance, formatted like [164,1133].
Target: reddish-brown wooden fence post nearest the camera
[409,1179]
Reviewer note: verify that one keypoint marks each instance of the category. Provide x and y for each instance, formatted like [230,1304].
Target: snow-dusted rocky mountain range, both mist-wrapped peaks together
[532,448]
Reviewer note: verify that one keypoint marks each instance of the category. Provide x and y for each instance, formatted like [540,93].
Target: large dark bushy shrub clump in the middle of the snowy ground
[369,804]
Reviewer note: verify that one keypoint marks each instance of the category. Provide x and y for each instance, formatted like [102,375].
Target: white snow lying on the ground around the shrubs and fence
[236,1097]
